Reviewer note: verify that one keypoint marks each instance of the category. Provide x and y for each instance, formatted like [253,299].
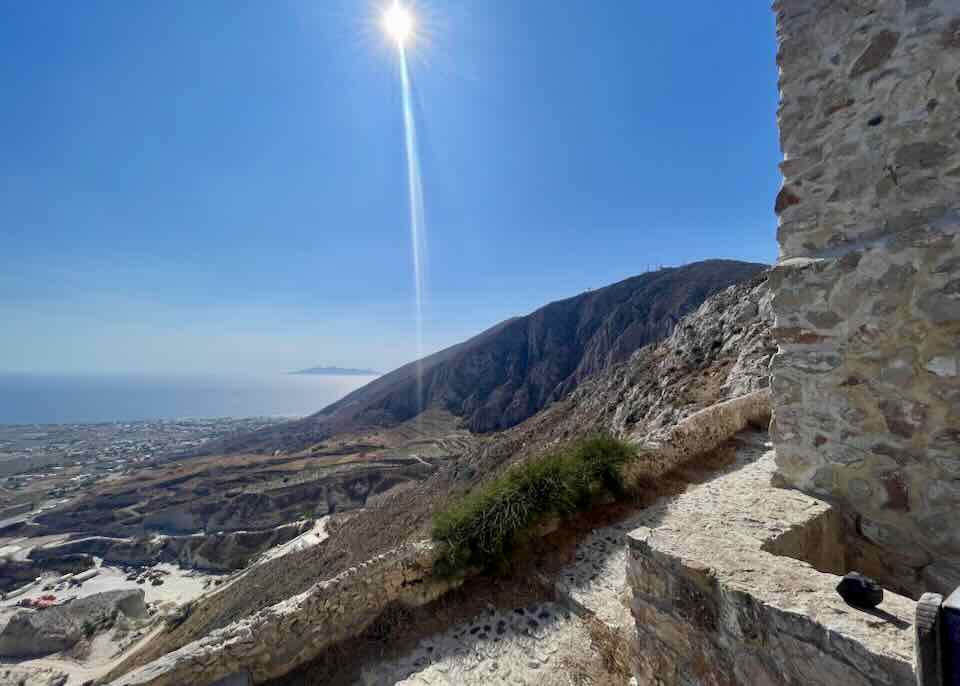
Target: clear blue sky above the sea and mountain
[219,185]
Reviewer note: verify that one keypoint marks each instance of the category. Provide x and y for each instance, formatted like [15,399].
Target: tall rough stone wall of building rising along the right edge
[866,392]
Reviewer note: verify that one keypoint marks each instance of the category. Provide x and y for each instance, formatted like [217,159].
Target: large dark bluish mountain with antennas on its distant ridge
[512,371]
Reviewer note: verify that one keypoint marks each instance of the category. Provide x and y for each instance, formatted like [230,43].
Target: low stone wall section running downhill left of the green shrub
[275,640]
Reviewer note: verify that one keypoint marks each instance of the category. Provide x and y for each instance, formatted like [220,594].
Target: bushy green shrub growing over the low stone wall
[482,528]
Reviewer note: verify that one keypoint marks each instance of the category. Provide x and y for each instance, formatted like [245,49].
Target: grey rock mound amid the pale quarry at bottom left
[43,632]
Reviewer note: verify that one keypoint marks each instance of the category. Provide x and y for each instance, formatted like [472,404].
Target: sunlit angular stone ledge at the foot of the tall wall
[713,606]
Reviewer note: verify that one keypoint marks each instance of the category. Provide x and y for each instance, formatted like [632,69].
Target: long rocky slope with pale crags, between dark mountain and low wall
[720,350]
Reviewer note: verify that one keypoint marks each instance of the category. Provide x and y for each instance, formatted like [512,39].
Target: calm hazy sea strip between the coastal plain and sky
[52,399]
